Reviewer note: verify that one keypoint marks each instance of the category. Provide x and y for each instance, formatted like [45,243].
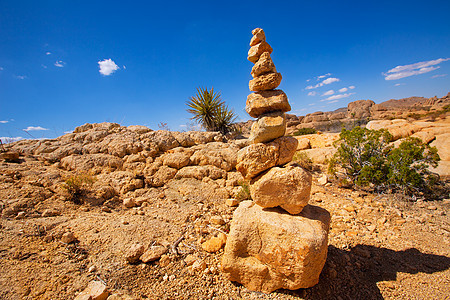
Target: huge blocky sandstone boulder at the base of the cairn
[269,249]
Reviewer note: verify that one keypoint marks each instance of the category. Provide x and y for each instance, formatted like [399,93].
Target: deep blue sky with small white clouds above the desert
[154,54]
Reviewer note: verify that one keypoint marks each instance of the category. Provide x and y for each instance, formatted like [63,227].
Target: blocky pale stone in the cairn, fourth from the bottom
[268,127]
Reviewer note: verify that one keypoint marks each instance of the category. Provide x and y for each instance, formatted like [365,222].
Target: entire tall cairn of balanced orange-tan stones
[277,240]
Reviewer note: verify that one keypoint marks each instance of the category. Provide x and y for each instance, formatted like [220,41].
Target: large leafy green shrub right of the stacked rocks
[368,161]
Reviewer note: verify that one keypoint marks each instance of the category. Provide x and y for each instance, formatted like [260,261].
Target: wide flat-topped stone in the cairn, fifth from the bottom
[266,101]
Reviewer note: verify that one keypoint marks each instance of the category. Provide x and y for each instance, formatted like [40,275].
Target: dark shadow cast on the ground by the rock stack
[354,274]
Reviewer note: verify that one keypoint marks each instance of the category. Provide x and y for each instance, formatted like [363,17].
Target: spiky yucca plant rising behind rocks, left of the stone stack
[210,111]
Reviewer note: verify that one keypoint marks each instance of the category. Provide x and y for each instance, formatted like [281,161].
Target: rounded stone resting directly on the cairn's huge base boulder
[287,187]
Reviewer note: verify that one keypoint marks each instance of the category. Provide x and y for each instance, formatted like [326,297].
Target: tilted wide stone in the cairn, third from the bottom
[260,157]
